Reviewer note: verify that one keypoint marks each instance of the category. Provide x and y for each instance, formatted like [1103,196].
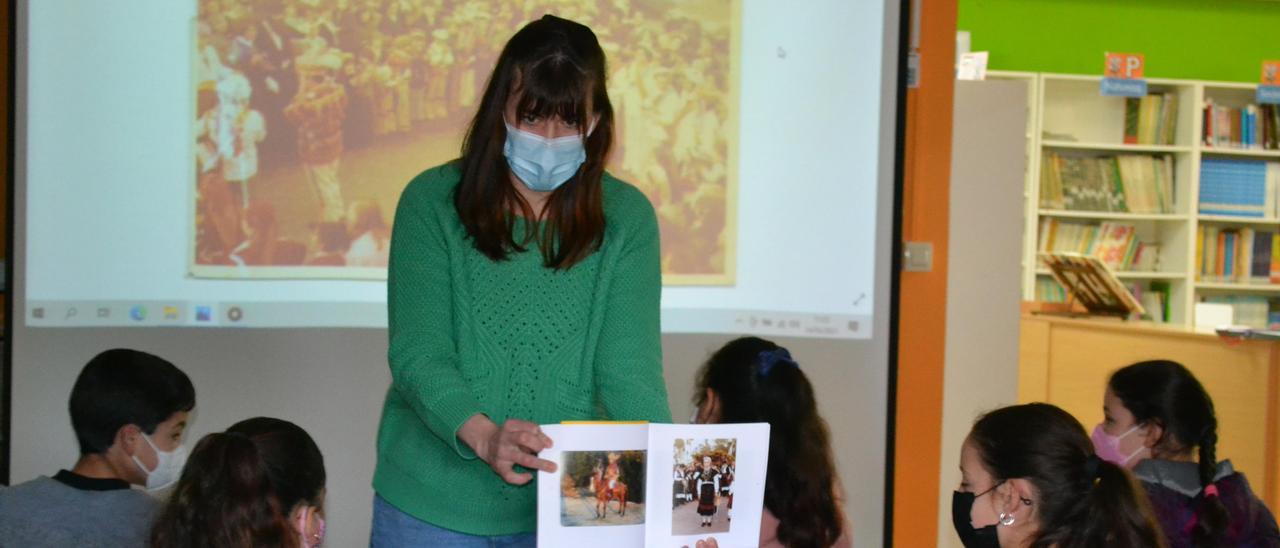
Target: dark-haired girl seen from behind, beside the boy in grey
[258,485]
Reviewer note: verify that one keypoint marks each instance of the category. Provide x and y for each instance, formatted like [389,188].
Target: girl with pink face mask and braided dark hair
[1160,422]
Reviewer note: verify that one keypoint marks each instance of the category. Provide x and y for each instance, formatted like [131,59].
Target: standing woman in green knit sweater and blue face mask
[523,290]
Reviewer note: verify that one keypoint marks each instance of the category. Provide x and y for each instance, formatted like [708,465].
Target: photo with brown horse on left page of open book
[602,488]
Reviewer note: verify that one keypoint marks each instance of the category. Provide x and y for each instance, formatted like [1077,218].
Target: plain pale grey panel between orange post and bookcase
[988,167]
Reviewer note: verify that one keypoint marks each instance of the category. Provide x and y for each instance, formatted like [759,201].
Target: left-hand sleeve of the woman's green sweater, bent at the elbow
[423,353]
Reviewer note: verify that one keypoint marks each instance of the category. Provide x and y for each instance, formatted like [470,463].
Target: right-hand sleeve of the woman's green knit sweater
[629,368]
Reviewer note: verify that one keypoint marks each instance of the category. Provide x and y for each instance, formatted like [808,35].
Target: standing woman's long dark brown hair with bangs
[556,68]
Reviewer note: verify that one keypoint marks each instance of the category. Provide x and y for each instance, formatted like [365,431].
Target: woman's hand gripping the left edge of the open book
[516,442]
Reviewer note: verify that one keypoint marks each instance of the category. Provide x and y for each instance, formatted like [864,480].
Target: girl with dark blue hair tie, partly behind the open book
[755,381]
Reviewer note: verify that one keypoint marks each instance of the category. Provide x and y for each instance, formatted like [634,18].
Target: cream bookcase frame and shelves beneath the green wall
[1069,116]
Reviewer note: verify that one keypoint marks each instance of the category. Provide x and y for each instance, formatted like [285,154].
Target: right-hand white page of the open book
[721,488]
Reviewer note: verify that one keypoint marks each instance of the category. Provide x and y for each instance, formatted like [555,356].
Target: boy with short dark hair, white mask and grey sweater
[129,410]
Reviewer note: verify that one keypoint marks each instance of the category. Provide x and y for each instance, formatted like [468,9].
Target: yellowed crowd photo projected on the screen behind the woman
[312,116]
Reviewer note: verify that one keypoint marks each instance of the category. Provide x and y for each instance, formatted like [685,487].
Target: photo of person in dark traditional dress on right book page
[703,486]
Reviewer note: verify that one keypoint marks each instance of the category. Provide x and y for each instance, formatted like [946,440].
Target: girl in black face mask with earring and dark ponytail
[1030,479]
